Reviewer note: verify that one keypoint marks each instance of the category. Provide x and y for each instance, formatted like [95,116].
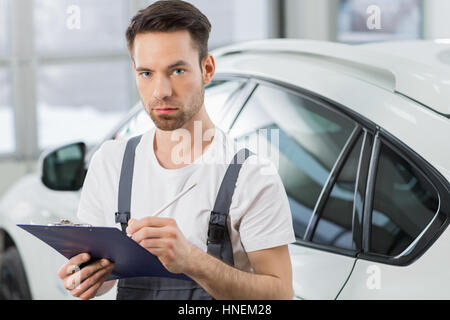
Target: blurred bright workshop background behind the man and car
[65,73]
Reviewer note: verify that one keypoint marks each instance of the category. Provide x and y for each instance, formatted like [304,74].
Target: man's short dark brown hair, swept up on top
[168,16]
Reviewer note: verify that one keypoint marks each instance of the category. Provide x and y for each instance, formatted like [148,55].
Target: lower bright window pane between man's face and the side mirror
[81,101]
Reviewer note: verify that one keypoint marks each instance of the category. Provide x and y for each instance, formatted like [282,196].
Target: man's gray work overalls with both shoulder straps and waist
[219,244]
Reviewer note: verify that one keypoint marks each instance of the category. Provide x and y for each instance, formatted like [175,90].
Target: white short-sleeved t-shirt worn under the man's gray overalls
[259,215]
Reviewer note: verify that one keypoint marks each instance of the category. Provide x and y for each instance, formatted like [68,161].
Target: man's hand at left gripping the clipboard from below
[84,283]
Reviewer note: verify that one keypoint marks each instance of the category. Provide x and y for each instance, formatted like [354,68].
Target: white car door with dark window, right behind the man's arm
[317,152]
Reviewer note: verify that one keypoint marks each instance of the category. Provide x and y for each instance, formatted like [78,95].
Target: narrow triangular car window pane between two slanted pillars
[334,227]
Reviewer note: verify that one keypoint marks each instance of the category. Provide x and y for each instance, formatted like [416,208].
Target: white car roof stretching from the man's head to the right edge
[419,70]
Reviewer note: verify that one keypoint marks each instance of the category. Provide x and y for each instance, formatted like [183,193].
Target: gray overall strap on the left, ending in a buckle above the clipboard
[125,182]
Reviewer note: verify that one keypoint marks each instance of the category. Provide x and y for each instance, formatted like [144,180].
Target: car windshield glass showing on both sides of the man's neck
[217,94]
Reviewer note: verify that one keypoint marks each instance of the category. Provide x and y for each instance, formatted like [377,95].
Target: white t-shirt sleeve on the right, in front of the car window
[262,206]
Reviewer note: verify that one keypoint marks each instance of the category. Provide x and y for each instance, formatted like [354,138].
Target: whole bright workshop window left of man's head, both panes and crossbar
[84,78]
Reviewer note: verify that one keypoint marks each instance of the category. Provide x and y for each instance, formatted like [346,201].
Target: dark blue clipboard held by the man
[131,259]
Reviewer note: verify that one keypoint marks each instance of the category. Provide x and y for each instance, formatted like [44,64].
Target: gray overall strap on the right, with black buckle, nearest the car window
[219,243]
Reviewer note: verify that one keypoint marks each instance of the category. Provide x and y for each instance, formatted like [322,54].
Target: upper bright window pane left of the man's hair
[84,26]
